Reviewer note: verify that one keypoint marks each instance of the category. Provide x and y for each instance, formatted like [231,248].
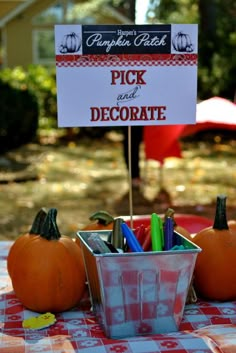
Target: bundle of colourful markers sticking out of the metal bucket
[159,236]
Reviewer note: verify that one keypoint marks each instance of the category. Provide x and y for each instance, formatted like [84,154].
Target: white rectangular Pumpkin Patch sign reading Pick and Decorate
[126,74]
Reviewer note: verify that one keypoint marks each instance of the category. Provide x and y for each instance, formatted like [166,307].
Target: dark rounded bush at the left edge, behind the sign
[19,116]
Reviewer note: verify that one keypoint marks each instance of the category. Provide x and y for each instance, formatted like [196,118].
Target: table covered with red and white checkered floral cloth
[206,327]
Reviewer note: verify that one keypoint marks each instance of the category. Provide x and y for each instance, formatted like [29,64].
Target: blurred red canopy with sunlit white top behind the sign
[161,142]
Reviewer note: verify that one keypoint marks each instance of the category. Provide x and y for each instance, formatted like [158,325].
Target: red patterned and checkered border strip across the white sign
[126,60]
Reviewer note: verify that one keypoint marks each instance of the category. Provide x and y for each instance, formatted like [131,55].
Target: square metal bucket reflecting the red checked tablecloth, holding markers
[138,293]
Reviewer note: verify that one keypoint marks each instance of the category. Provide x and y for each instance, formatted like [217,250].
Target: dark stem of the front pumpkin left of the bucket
[50,229]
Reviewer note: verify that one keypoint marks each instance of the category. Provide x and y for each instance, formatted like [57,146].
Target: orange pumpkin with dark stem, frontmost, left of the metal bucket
[49,273]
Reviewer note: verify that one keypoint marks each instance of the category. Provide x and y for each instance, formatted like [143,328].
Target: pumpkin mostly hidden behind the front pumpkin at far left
[22,240]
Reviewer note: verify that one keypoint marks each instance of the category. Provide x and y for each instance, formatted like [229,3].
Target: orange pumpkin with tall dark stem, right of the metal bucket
[215,270]
